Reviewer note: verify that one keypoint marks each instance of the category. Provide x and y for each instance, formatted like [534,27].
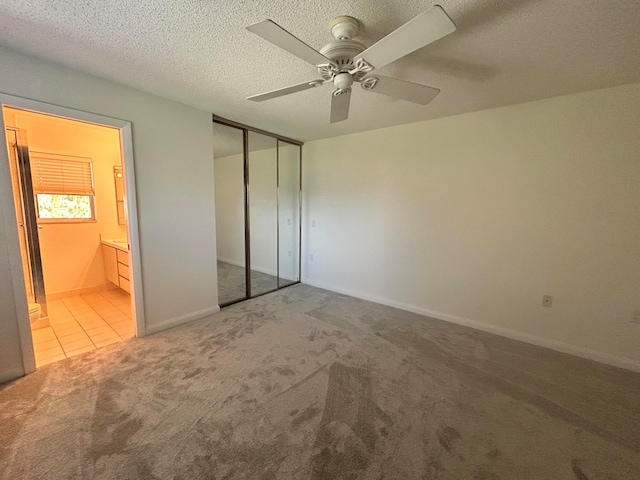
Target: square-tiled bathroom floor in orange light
[83,323]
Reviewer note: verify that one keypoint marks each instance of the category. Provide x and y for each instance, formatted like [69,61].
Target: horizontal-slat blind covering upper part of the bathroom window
[61,175]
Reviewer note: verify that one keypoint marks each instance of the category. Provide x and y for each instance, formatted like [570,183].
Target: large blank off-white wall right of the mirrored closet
[473,218]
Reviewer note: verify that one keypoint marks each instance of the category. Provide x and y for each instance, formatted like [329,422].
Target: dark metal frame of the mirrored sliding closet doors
[247,206]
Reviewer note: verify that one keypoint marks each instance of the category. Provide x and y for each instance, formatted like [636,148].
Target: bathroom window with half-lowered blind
[63,187]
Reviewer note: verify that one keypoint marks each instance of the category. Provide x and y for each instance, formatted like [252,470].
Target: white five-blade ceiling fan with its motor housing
[345,61]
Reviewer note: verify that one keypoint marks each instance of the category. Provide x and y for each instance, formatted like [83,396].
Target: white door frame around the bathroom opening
[9,215]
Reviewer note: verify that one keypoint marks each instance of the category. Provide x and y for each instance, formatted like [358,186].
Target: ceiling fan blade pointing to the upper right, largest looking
[422,30]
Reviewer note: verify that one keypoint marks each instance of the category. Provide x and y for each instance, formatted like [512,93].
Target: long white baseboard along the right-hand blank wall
[575,350]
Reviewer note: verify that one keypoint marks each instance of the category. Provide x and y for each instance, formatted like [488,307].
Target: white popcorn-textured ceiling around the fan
[199,52]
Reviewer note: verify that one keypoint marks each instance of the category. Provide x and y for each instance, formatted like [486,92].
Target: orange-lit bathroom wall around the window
[71,253]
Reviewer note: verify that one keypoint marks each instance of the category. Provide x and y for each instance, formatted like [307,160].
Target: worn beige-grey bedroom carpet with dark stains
[307,384]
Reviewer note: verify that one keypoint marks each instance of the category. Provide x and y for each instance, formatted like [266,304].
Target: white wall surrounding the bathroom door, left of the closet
[174,174]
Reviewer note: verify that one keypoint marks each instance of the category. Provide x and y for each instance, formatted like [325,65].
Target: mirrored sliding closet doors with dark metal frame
[258,210]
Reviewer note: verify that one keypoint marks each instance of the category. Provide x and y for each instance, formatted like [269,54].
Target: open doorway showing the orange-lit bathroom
[70,191]
